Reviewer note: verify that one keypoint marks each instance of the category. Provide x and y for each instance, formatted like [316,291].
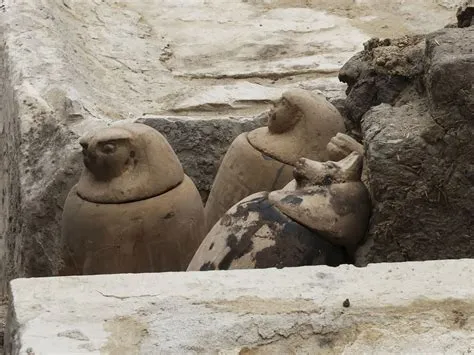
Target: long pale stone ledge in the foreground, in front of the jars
[413,307]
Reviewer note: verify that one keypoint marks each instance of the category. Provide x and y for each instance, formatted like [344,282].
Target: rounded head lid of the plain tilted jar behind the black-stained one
[300,124]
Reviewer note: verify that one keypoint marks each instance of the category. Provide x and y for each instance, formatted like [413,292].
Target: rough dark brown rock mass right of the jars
[419,150]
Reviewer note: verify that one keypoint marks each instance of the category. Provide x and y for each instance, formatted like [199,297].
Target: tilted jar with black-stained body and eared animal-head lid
[318,218]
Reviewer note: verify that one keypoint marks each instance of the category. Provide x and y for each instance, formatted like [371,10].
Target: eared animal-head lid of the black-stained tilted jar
[328,197]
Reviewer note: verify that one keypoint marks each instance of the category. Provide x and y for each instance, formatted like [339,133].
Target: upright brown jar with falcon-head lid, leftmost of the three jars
[133,209]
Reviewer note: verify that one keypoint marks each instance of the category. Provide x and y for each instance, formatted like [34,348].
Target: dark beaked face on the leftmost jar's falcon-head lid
[108,158]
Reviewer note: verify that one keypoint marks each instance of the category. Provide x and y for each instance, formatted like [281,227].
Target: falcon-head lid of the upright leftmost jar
[127,162]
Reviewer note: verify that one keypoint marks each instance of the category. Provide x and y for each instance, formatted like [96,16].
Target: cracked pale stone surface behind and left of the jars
[73,66]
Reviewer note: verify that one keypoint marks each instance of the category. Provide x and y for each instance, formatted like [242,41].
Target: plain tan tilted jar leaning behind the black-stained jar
[300,124]
